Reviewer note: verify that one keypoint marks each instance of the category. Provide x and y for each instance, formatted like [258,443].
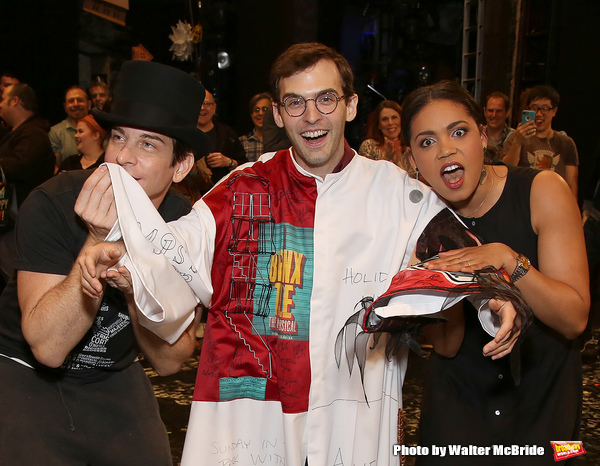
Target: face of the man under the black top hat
[147,157]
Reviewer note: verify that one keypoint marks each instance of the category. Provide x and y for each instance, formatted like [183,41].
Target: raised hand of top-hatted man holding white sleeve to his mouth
[96,204]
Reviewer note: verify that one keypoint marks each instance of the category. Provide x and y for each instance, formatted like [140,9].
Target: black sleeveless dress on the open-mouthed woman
[471,399]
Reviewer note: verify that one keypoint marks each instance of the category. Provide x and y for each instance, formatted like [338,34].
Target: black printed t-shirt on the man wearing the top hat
[49,238]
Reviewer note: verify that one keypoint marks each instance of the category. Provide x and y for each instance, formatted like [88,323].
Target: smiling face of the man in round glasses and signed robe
[317,139]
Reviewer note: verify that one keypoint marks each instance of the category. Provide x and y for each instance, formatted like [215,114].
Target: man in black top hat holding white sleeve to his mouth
[73,391]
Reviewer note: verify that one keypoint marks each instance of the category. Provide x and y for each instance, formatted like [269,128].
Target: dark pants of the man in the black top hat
[55,423]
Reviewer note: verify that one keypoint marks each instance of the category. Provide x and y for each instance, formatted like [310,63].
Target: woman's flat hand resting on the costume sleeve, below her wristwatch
[475,258]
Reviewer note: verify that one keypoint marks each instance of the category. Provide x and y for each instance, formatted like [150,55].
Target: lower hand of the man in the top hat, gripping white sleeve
[94,263]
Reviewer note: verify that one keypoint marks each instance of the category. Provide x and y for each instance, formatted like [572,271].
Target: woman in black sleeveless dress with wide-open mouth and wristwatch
[531,225]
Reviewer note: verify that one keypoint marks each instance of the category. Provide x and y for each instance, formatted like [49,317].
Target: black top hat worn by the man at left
[158,98]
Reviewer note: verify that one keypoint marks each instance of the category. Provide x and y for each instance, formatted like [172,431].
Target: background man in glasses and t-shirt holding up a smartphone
[535,144]
